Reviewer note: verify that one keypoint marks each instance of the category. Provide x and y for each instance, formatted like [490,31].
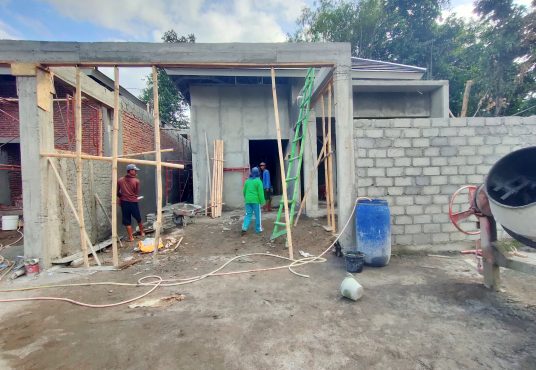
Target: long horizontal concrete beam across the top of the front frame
[147,54]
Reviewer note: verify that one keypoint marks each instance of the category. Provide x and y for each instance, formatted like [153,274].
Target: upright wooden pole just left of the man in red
[115,143]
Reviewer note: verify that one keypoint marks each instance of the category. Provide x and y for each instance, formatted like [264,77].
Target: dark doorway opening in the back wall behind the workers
[266,151]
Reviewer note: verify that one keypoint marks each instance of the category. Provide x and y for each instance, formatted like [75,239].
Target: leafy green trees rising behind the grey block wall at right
[497,51]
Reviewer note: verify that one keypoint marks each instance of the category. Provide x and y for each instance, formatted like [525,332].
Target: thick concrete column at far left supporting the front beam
[39,185]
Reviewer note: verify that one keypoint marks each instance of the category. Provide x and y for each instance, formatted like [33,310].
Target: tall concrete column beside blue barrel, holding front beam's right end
[345,152]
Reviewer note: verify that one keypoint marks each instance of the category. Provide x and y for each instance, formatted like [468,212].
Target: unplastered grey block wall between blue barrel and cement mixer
[417,164]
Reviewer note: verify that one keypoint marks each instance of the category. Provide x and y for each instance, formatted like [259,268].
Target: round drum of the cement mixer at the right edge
[511,189]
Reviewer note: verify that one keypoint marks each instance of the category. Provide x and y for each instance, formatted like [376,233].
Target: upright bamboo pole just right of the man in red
[156,116]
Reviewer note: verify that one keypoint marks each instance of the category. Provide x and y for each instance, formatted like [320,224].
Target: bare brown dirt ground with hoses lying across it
[419,312]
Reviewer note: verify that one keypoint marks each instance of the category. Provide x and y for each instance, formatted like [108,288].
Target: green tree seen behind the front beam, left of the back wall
[173,107]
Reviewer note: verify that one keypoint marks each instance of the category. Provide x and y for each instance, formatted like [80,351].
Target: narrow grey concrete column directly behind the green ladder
[310,174]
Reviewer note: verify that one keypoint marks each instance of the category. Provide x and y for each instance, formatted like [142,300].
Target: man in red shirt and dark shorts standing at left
[128,190]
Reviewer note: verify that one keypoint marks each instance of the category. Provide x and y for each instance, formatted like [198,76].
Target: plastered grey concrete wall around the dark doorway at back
[235,114]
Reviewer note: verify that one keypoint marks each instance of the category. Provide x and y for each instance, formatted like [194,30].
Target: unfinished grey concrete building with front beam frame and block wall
[393,137]
